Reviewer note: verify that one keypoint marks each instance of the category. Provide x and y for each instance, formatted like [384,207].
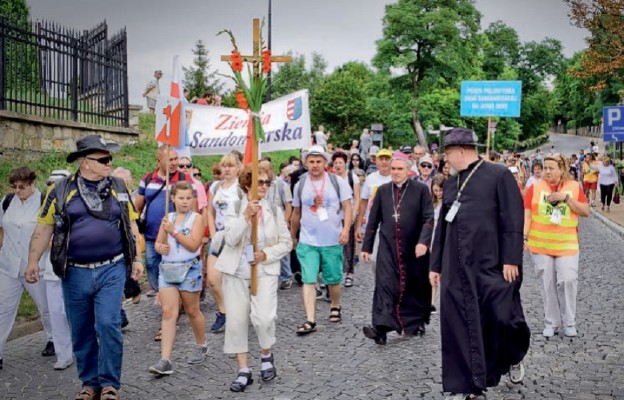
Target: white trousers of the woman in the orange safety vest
[559,276]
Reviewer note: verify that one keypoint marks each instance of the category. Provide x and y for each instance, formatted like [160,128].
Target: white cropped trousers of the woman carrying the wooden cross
[240,307]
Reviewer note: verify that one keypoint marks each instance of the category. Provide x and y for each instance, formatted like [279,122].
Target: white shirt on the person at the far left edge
[18,224]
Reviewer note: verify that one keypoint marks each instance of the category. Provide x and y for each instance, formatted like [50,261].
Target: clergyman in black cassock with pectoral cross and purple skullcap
[403,212]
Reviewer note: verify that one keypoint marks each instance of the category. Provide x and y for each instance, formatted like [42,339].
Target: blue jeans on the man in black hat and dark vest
[93,307]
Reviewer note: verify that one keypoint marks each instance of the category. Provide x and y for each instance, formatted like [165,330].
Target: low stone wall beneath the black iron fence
[22,132]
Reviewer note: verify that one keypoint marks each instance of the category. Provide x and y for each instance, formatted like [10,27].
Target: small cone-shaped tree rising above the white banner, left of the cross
[198,78]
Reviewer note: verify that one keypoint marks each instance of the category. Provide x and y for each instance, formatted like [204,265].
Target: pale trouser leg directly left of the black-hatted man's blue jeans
[61,334]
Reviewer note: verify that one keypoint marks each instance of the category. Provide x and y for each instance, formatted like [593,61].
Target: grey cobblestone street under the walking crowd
[338,362]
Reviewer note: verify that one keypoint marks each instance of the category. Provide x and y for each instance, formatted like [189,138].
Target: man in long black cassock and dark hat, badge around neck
[477,257]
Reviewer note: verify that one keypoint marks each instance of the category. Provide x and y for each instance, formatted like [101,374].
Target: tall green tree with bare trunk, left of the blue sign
[425,36]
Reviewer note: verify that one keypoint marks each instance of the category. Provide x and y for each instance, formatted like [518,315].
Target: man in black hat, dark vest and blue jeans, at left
[92,219]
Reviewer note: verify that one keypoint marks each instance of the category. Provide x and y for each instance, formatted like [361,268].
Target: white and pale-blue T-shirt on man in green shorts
[315,232]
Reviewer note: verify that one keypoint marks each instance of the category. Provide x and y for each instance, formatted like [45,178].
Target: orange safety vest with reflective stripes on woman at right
[544,236]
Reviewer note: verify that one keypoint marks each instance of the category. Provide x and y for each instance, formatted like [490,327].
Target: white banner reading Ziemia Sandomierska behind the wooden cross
[219,130]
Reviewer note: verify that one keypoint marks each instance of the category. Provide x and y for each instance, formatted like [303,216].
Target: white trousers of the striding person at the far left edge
[11,290]
